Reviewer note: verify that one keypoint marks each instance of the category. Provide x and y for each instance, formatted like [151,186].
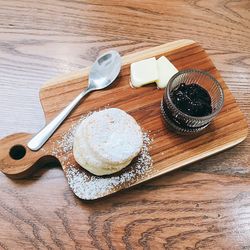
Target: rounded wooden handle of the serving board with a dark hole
[16,159]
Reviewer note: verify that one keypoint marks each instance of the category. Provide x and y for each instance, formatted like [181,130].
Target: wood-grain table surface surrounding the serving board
[205,205]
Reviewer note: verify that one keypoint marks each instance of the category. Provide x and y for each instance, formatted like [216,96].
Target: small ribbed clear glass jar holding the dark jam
[181,122]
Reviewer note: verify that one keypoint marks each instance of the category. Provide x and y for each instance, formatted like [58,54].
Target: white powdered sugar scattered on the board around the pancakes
[87,186]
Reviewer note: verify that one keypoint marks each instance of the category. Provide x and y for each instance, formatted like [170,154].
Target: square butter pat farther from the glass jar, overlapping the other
[143,72]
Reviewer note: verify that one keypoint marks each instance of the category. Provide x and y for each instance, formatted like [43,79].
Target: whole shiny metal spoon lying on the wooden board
[103,72]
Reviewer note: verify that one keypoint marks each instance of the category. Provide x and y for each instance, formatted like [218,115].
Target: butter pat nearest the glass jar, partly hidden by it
[165,71]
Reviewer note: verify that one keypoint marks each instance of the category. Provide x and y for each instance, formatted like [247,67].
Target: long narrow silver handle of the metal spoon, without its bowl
[41,137]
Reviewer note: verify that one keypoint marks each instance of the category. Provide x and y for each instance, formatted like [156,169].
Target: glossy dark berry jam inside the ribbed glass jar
[192,99]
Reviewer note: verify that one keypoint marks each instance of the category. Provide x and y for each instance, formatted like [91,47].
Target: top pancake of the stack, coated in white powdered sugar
[113,135]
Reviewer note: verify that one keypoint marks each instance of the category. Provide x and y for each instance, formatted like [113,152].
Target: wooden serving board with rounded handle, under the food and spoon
[168,150]
